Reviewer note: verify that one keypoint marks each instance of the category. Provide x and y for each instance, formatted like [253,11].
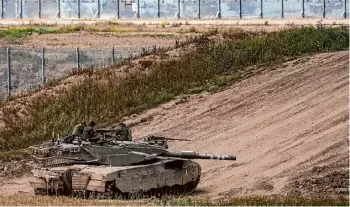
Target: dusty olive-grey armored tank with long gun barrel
[115,169]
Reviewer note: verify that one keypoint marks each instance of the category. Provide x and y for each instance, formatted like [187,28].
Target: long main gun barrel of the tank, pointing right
[195,155]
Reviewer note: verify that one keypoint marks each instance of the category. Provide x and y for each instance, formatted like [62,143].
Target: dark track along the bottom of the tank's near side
[113,193]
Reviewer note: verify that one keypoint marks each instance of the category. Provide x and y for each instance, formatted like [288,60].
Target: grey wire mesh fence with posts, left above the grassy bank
[24,69]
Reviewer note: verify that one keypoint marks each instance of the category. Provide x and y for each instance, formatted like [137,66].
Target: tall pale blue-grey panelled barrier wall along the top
[165,9]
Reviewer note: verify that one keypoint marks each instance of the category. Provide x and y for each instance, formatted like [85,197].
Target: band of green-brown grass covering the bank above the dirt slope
[106,97]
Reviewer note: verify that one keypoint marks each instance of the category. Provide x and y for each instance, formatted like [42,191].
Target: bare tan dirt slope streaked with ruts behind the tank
[278,124]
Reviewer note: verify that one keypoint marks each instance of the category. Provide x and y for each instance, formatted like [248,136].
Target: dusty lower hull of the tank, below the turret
[163,177]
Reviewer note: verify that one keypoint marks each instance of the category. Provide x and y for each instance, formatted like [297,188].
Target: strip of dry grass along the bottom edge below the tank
[273,200]
